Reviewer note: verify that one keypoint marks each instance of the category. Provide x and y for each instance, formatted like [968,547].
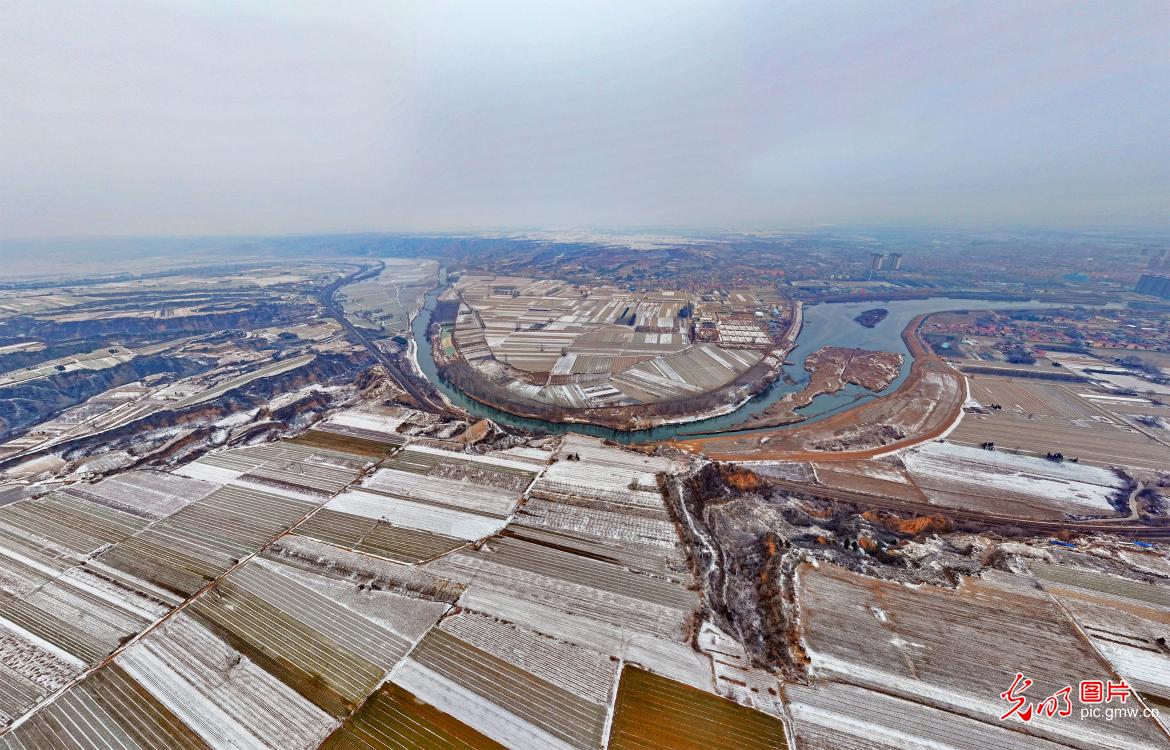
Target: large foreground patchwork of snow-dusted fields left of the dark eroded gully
[267,603]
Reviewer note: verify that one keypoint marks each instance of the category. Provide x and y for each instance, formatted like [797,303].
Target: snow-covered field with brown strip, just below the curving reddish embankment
[1013,485]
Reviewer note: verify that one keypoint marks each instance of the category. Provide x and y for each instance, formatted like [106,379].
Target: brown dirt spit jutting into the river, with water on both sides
[830,369]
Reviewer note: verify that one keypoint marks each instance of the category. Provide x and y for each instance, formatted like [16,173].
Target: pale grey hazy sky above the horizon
[223,118]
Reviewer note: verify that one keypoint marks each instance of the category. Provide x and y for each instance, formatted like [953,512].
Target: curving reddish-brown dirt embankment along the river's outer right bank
[924,408]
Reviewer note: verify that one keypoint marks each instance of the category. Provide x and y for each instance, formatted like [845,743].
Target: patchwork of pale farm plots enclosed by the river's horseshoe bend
[554,343]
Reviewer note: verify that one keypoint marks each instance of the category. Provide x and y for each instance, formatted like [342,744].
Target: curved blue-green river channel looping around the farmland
[825,325]
